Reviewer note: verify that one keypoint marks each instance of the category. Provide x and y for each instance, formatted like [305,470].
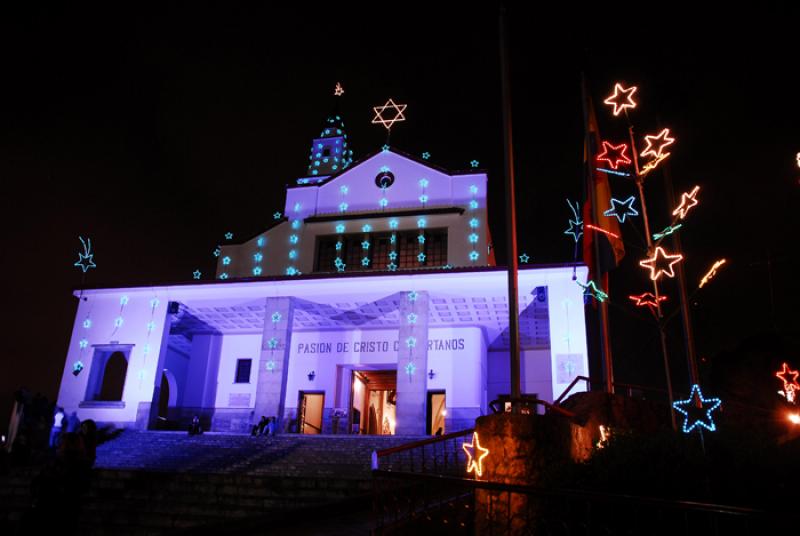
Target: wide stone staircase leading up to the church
[162,482]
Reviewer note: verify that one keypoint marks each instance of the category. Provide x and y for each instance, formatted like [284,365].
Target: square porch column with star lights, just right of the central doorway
[412,364]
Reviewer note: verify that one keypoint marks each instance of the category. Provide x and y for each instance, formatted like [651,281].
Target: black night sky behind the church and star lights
[156,129]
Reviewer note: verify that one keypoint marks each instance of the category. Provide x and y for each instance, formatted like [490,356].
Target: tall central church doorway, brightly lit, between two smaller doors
[374,396]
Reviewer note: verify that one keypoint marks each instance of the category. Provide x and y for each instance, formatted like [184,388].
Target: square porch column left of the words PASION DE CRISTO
[273,363]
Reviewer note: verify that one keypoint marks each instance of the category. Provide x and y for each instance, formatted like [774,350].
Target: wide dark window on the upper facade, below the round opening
[377,251]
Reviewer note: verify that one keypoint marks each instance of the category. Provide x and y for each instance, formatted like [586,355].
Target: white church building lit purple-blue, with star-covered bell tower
[372,305]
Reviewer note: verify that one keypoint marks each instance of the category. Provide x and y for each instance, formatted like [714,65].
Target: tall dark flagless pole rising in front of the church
[511,216]
